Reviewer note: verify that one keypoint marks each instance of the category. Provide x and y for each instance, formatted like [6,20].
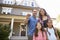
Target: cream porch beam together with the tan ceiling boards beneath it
[7,18]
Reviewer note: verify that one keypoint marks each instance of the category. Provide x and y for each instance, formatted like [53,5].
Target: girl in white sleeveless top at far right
[51,31]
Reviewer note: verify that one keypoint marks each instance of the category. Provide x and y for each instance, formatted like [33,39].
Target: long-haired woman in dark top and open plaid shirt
[43,17]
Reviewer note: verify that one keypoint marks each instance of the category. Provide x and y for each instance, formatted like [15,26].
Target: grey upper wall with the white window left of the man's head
[20,11]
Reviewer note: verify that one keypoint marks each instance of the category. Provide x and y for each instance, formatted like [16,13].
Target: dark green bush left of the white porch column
[4,32]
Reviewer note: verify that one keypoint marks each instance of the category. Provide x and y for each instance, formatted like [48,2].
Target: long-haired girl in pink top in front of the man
[39,34]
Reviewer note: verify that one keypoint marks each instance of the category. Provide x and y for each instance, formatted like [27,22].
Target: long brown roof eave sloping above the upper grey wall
[19,6]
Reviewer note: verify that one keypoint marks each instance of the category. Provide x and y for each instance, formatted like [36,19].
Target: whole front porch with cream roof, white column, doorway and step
[18,29]
